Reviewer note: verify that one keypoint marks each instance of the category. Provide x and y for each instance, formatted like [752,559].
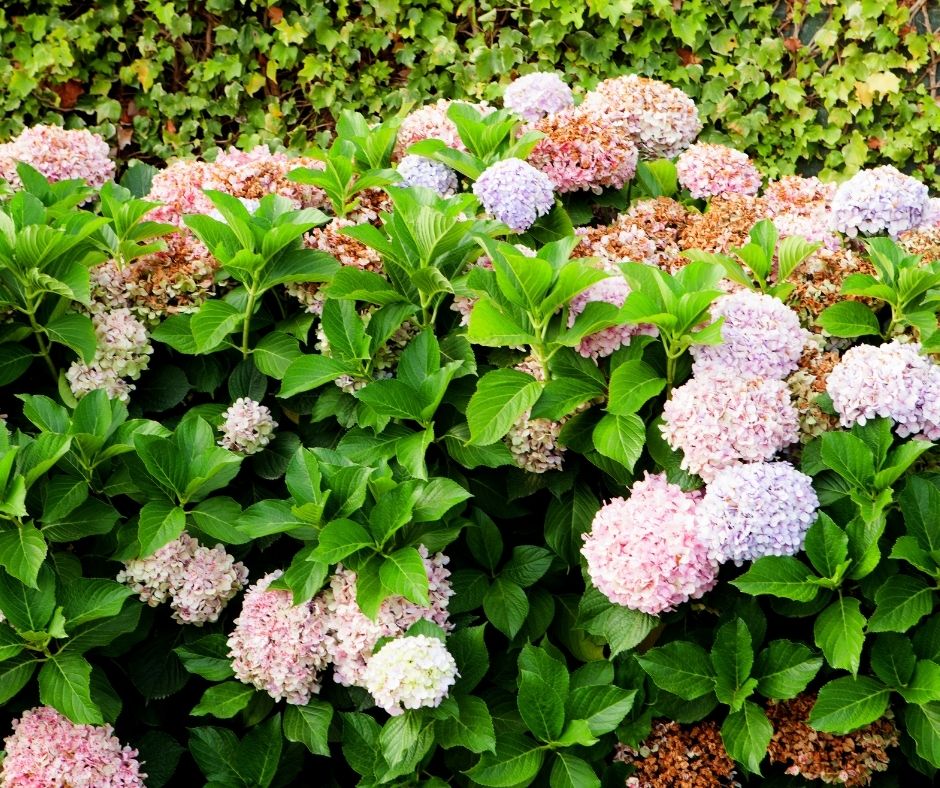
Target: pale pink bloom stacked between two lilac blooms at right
[724,419]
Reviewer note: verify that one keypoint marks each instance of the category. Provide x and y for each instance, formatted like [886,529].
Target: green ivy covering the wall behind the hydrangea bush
[801,86]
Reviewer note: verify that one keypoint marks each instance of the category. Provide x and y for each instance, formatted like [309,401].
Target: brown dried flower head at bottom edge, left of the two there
[679,756]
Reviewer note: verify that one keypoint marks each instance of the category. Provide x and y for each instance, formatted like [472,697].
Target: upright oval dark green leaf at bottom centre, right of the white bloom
[543,692]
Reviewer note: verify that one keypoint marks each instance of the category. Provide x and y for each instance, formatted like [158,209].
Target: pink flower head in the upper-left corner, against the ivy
[59,154]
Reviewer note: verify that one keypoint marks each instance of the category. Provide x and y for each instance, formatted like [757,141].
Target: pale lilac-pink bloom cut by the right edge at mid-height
[892,381]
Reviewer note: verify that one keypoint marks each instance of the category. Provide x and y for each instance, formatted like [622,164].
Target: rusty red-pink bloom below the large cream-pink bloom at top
[580,153]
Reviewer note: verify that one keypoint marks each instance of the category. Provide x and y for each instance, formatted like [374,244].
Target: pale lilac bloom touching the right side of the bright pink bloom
[758,509]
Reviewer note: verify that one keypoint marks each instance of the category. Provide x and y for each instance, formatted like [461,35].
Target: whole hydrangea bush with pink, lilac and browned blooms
[495,445]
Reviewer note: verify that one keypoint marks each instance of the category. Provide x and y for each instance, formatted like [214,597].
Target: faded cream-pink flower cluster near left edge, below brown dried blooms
[123,351]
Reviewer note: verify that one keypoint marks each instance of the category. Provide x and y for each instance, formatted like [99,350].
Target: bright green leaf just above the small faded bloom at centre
[501,397]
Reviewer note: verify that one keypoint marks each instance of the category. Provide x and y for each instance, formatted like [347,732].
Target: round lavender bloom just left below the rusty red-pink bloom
[515,192]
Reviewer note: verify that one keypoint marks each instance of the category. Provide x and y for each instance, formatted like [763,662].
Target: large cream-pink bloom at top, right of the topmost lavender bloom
[661,120]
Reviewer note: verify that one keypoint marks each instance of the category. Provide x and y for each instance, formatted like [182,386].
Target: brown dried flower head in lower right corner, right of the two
[848,760]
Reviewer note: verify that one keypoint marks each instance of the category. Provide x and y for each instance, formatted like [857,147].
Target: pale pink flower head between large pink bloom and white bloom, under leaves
[353,635]
